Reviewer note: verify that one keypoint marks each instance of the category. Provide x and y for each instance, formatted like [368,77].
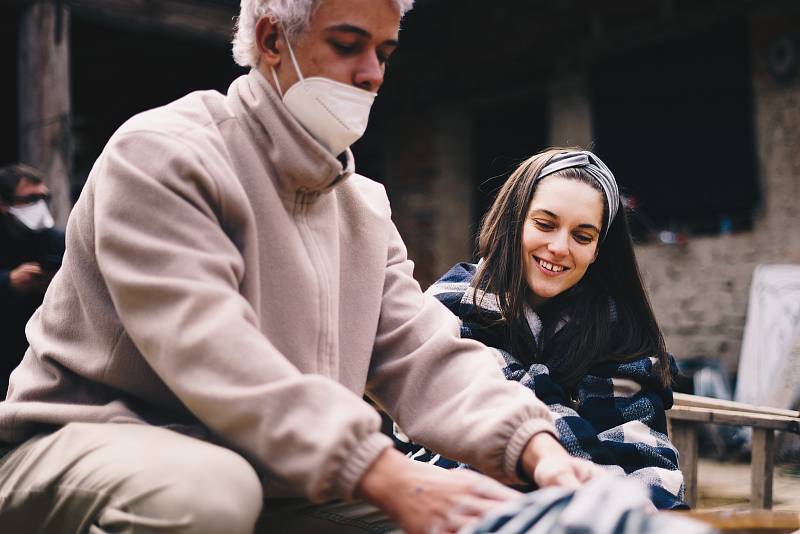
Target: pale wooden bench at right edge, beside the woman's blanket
[690,411]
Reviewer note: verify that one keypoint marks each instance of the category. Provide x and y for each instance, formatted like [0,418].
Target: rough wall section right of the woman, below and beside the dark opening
[700,290]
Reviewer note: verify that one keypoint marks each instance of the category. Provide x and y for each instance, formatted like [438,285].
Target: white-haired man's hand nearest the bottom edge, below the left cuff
[425,499]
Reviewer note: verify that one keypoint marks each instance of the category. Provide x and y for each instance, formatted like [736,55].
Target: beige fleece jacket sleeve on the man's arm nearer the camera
[174,275]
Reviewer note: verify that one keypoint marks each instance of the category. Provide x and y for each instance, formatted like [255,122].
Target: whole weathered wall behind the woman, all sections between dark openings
[700,290]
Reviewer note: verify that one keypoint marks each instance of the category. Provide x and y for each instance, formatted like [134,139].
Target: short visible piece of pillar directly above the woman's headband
[569,111]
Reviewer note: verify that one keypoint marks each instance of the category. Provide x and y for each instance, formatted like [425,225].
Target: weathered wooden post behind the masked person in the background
[44,99]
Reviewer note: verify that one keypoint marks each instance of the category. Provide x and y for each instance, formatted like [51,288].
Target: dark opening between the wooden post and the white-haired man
[118,72]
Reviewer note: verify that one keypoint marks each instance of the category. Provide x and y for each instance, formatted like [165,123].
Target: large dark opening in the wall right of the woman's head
[675,122]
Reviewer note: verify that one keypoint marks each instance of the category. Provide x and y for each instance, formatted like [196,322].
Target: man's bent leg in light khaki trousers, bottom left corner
[135,477]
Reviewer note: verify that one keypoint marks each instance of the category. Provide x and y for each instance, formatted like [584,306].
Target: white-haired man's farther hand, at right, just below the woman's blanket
[548,464]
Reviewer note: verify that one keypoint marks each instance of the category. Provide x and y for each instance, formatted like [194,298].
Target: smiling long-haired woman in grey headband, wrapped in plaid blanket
[558,294]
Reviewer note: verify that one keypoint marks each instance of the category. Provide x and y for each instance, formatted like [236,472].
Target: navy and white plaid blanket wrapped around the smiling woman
[614,417]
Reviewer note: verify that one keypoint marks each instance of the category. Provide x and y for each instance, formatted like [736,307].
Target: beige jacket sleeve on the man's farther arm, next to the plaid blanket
[447,393]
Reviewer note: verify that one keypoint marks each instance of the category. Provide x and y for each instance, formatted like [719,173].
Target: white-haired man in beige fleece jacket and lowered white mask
[231,289]
